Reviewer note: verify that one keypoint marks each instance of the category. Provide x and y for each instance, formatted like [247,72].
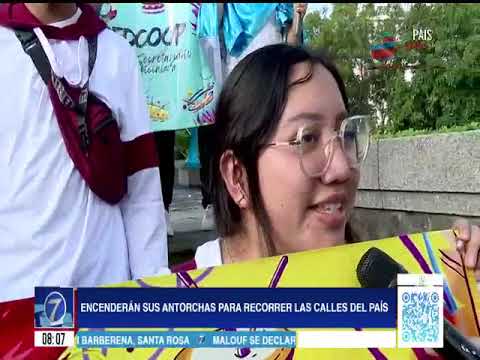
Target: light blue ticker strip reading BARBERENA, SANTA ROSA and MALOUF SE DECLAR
[186,339]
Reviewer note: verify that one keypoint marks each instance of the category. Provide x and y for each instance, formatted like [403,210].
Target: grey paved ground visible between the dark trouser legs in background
[186,214]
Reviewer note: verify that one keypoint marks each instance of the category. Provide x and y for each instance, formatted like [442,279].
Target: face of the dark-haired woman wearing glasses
[308,212]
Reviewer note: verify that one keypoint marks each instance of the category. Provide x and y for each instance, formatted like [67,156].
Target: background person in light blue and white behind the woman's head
[228,32]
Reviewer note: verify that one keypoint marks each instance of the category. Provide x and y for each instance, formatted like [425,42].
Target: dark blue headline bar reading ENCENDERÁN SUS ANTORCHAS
[228,308]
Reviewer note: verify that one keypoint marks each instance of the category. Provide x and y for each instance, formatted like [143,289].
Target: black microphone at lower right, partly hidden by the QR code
[376,269]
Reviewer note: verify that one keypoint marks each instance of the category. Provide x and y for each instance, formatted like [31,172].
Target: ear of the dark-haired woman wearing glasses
[235,178]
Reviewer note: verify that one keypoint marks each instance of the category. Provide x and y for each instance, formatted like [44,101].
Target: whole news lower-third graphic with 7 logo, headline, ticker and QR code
[242,317]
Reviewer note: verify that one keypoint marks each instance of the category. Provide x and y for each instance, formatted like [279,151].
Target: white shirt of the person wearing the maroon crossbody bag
[54,231]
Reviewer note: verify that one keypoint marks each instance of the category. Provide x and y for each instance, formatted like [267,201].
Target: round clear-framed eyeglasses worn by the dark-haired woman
[316,155]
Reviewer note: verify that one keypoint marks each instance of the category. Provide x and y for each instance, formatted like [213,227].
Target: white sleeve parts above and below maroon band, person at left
[142,207]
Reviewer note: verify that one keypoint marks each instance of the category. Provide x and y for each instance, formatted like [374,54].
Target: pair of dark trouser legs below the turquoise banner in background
[165,141]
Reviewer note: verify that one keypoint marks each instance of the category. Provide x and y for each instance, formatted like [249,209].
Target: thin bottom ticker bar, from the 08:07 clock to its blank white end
[346,339]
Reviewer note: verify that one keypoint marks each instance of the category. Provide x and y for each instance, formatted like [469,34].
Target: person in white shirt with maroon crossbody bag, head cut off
[80,202]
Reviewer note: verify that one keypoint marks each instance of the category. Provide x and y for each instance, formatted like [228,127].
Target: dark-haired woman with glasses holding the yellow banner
[286,160]
